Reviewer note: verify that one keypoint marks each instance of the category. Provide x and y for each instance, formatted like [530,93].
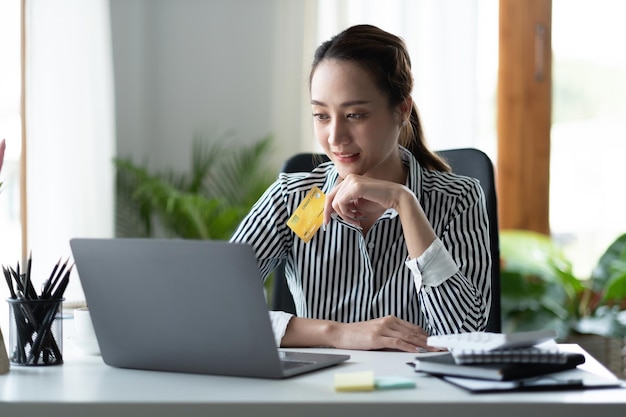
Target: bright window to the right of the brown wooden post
[587,198]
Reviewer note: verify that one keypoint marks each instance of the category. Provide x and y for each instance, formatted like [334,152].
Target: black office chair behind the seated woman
[467,161]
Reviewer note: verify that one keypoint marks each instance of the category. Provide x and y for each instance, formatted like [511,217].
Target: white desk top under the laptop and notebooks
[85,386]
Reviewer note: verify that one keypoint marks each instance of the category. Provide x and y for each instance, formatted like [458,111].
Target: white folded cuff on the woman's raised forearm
[433,267]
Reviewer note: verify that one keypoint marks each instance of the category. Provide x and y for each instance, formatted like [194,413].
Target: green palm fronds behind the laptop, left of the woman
[207,202]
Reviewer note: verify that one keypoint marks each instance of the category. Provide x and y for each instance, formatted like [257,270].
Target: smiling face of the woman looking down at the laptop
[353,121]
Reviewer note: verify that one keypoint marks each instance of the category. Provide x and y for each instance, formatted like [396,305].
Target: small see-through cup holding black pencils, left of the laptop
[35,332]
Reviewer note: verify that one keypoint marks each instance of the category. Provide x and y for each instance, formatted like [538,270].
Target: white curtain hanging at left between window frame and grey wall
[70,129]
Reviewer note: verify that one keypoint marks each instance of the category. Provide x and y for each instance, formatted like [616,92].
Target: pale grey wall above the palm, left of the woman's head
[219,67]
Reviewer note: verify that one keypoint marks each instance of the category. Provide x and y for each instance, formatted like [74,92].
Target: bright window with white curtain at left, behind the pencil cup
[70,131]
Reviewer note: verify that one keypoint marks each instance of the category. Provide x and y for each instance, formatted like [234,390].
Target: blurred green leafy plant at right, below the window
[540,290]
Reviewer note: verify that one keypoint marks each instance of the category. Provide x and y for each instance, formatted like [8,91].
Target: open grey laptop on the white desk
[184,306]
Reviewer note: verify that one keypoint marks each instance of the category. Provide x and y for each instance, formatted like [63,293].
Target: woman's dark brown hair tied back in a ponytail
[384,56]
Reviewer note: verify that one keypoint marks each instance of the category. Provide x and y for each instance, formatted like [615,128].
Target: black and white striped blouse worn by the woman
[345,276]
